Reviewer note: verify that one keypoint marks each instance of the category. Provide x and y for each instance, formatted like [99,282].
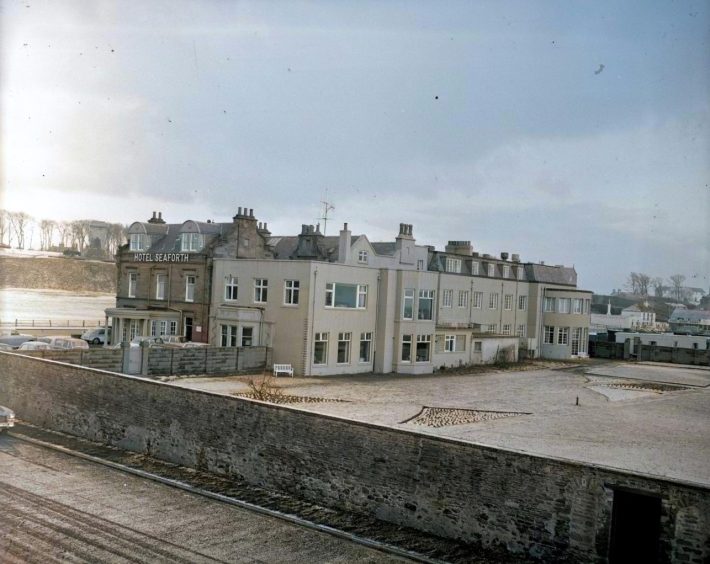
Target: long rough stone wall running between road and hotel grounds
[548,509]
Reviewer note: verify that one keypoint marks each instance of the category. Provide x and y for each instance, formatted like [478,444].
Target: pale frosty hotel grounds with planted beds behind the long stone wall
[650,419]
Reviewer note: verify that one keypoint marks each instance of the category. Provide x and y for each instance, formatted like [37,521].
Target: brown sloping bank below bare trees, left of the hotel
[57,274]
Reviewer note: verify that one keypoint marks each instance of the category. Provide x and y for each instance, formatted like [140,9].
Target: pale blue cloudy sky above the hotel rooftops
[574,133]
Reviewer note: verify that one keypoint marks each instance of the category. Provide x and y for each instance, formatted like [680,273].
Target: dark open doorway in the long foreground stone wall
[635,528]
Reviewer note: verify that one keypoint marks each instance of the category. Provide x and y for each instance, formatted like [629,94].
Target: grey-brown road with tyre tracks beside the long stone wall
[55,507]
